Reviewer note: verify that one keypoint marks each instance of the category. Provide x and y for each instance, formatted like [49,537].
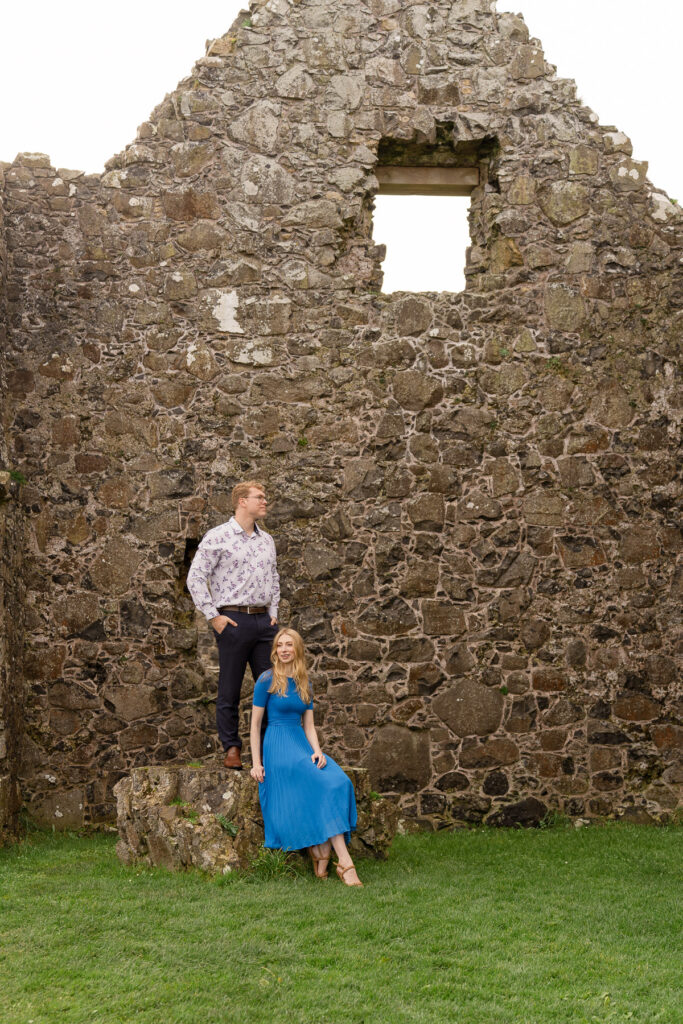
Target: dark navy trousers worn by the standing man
[248,644]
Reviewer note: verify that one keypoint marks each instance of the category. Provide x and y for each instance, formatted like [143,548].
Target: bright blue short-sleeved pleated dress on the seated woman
[303,805]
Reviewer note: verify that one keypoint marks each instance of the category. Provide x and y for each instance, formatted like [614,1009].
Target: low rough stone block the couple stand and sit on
[180,817]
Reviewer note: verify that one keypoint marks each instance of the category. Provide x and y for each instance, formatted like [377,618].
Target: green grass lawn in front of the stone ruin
[548,927]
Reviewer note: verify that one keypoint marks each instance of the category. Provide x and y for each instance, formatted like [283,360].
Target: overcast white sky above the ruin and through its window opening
[78,78]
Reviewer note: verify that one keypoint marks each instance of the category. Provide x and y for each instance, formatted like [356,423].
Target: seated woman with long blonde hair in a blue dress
[307,799]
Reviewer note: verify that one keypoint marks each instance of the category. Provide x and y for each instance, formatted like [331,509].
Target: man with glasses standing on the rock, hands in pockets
[234,582]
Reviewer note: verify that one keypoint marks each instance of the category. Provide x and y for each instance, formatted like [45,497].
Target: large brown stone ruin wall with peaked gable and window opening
[474,493]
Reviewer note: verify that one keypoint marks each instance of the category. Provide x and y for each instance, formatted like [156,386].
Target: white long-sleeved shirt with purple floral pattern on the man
[233,568]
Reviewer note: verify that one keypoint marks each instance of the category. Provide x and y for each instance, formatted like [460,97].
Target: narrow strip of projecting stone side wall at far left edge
[12,598]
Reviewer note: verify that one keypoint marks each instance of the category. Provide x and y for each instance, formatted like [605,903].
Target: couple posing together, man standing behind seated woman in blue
[307,799]
